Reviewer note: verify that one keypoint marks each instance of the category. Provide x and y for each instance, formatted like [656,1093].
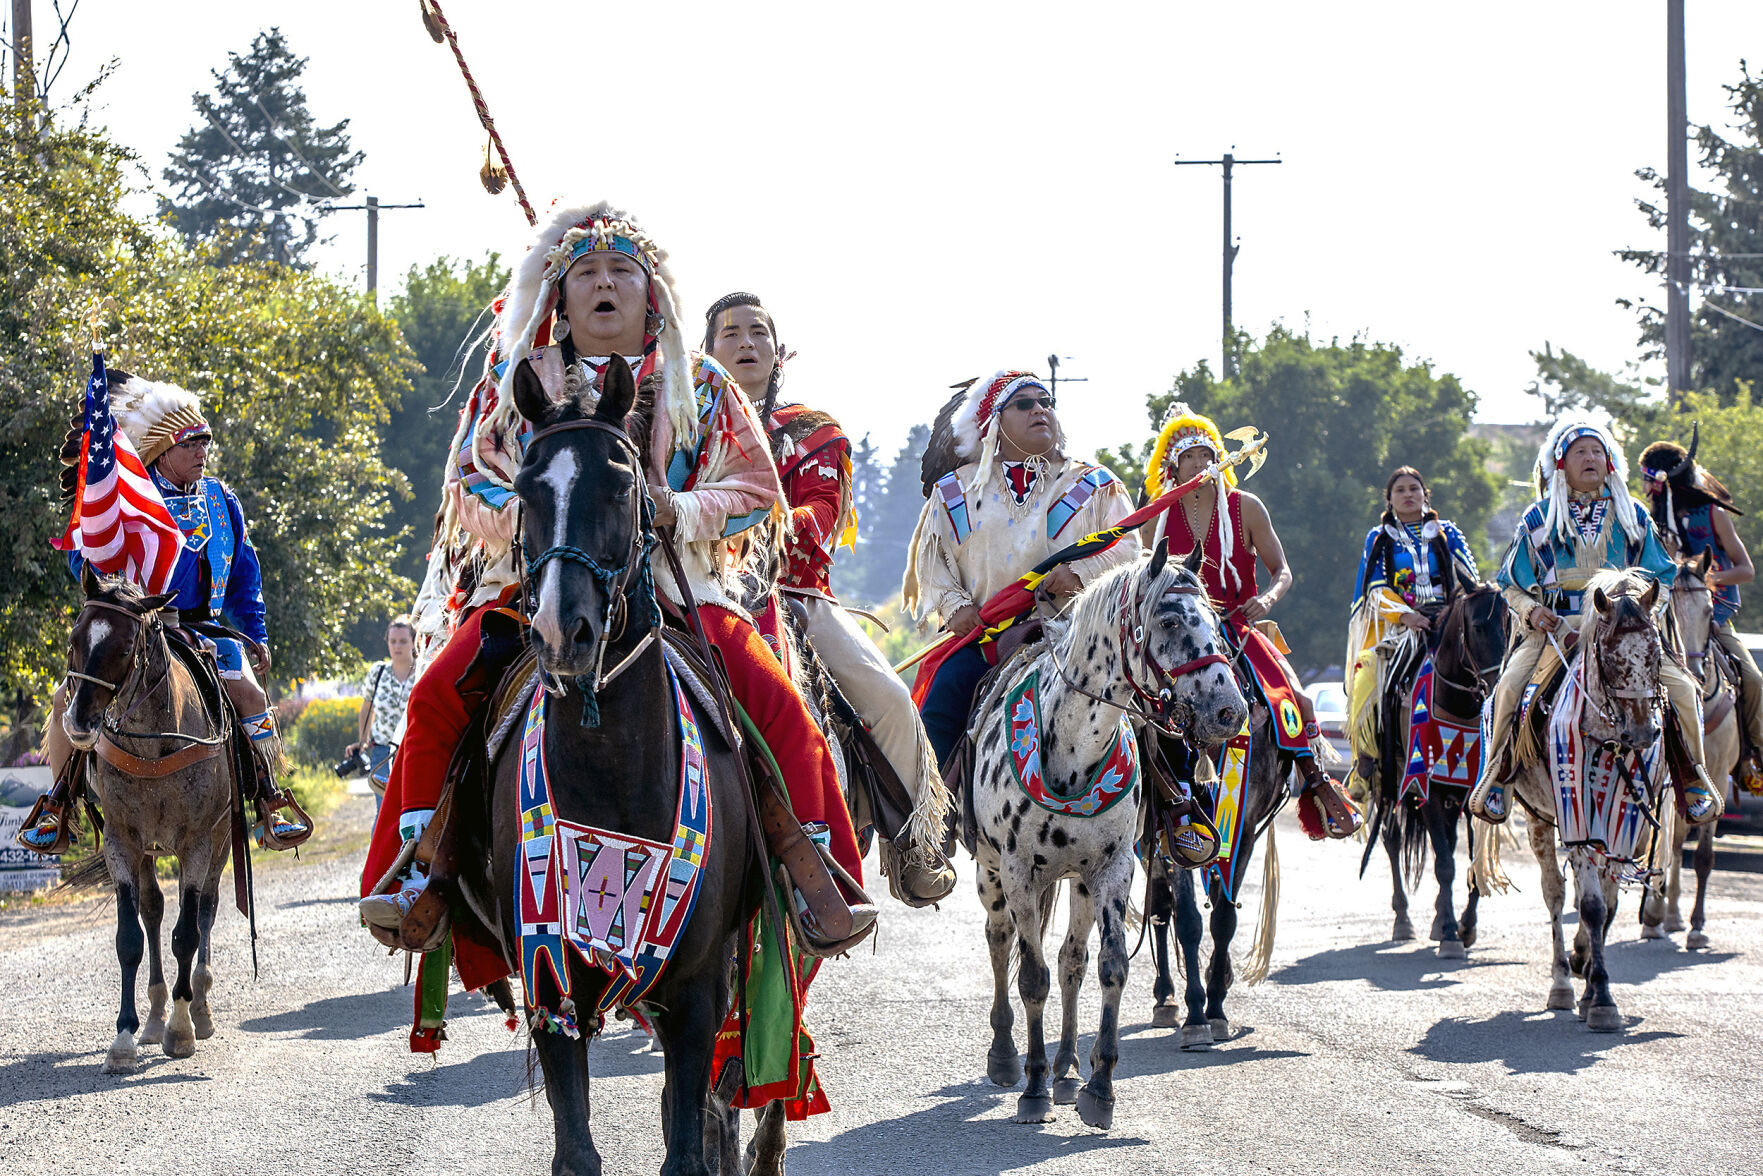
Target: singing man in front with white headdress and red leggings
[595,287]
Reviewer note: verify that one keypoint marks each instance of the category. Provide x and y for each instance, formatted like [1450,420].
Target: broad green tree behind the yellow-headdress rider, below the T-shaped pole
[1339,419]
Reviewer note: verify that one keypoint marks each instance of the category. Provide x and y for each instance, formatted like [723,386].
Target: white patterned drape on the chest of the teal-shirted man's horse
[1603,800]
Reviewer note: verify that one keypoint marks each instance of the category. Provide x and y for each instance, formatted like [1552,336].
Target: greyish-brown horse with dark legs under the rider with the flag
[131,692]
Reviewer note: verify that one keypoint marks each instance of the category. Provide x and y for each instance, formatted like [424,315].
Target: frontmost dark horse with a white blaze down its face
[583,495]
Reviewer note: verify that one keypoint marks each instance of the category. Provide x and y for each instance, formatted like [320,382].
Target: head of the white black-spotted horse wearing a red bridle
[1172,651]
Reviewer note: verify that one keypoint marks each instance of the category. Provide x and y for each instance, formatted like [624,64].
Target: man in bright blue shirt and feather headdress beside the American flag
[219,602]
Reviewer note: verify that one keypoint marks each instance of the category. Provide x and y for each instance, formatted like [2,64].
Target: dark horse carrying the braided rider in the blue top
[1471,643]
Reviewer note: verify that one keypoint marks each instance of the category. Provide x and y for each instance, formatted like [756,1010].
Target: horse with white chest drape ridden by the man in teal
[1623,703]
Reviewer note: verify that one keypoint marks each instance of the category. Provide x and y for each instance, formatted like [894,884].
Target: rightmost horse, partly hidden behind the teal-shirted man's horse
[1693,609]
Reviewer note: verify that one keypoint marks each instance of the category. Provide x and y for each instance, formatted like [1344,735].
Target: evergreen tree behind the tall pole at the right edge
[1727,251]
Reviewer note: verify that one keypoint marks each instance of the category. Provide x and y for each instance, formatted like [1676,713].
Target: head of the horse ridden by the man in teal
[1623,644]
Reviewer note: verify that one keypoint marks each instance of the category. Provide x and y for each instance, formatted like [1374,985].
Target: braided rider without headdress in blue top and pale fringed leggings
[1413,562]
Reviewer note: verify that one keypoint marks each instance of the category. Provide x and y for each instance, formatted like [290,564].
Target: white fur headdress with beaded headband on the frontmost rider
[528,315]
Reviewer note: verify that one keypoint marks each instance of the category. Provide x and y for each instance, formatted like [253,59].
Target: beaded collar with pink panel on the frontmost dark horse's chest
[618,902]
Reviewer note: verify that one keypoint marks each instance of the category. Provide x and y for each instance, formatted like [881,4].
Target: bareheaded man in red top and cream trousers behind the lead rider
[815,463]
